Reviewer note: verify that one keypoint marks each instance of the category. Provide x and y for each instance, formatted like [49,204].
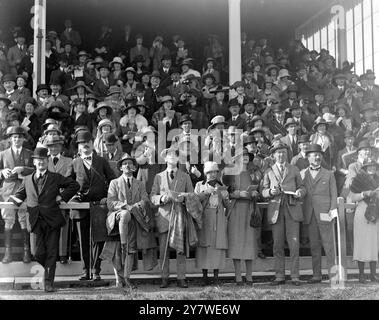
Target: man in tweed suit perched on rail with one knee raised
[128,205]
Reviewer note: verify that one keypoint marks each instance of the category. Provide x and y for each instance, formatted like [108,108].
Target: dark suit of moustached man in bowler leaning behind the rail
[94,185]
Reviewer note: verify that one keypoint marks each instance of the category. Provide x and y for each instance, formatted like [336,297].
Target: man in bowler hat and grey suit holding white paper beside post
[319,208]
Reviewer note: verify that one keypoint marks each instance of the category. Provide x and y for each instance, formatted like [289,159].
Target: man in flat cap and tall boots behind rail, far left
[15,163]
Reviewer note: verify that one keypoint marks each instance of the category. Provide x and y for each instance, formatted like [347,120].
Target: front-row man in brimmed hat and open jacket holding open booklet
[283,186]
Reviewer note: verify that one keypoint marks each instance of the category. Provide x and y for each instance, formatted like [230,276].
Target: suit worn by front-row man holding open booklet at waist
[285,218]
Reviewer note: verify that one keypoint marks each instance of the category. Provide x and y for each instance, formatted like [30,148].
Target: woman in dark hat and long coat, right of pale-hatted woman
[242,239]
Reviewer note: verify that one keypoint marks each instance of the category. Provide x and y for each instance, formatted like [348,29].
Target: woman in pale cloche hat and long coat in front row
[213,242]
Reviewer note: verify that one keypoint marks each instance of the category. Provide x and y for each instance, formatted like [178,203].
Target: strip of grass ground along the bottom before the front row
[227,291]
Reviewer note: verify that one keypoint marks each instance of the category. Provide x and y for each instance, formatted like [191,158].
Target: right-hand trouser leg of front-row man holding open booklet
[292,235]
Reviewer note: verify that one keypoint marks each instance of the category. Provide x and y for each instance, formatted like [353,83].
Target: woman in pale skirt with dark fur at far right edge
[365,189]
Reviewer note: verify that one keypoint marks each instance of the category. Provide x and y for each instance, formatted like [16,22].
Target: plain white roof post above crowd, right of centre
[234,40]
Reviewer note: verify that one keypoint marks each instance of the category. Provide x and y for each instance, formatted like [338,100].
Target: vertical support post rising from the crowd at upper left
[39,27]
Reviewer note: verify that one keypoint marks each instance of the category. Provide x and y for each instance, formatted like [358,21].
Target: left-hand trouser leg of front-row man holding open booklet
[278,247]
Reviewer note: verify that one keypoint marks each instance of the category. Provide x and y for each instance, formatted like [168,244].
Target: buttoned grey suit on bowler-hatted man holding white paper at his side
[321,197]
